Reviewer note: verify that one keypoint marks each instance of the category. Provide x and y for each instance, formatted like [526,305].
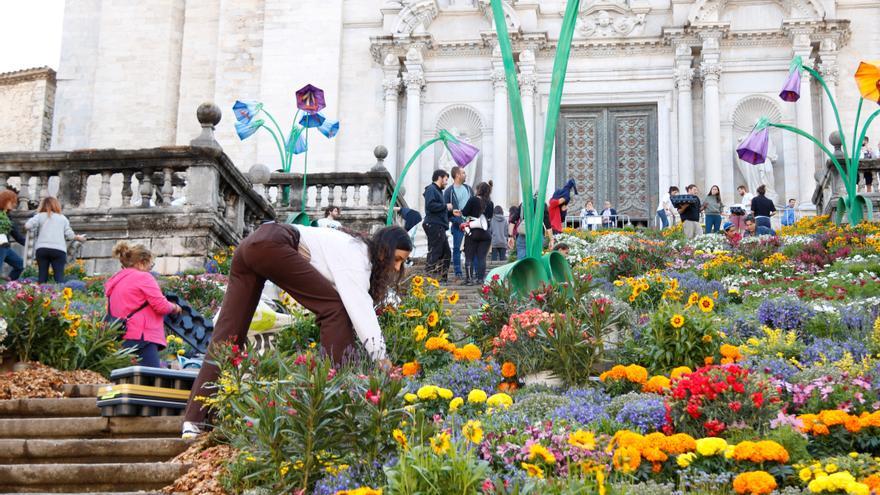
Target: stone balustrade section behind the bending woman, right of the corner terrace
[362,197]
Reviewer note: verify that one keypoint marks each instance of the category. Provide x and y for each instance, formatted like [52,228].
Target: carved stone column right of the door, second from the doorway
[710,70]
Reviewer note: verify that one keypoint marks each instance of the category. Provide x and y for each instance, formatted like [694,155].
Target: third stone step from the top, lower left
[92,451]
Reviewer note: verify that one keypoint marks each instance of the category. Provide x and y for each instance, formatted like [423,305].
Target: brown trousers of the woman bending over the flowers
[271,253]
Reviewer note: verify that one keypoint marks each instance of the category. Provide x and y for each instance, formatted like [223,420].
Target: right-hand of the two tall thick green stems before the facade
[560,67]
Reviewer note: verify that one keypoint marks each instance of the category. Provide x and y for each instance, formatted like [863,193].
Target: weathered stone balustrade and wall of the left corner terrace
[181,202]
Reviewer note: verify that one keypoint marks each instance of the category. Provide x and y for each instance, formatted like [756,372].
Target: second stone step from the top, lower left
[97,427]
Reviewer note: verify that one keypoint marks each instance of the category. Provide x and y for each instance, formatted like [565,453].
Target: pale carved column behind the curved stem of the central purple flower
[414,80]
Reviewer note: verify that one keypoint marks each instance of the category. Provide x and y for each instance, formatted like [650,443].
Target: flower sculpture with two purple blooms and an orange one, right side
[753,149]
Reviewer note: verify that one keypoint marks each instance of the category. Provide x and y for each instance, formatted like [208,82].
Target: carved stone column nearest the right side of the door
[684,75]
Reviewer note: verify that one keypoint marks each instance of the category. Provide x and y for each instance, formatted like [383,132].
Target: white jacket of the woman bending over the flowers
[345,262]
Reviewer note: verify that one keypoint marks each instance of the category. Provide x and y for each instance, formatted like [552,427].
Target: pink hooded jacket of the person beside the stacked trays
[127,290]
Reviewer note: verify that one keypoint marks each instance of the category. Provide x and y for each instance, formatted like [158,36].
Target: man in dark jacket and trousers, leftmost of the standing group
[436,223]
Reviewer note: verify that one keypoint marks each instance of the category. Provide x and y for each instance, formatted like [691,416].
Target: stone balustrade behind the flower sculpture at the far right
[830,185]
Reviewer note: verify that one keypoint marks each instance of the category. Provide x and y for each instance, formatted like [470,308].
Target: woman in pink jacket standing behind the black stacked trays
[134,297]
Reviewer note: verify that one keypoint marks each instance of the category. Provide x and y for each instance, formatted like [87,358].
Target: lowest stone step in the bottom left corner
[87,478]
